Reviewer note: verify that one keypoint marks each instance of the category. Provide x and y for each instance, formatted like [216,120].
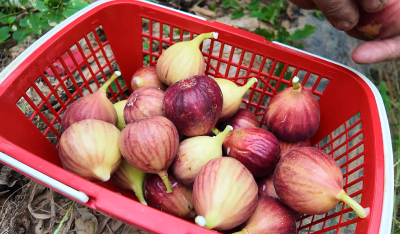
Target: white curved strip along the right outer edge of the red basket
[388,193]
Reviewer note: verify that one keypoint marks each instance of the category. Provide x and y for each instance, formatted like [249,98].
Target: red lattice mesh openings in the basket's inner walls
[84,67]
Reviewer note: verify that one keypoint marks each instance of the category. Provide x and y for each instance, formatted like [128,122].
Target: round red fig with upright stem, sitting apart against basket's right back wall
[293,114]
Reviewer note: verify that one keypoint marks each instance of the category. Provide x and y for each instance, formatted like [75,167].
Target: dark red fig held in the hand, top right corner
[381,24]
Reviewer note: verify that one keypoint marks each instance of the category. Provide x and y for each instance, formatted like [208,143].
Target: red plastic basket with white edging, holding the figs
[354,128]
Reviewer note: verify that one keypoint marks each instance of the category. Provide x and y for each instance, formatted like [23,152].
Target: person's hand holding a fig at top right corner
[344,15]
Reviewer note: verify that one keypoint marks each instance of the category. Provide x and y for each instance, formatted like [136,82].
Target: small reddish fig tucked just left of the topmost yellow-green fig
[146,77]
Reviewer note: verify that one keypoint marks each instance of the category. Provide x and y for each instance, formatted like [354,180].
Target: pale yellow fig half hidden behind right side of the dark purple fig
[233,96]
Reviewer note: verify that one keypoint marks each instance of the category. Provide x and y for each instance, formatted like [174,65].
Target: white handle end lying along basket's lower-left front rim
[50,182]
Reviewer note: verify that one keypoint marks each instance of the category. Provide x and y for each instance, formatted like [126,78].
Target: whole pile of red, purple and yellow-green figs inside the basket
[184,146]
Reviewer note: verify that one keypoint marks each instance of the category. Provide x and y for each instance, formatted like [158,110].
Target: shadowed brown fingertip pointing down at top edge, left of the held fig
[342,14]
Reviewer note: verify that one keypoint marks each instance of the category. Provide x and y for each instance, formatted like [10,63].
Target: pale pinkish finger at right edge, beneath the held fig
[377,51]
